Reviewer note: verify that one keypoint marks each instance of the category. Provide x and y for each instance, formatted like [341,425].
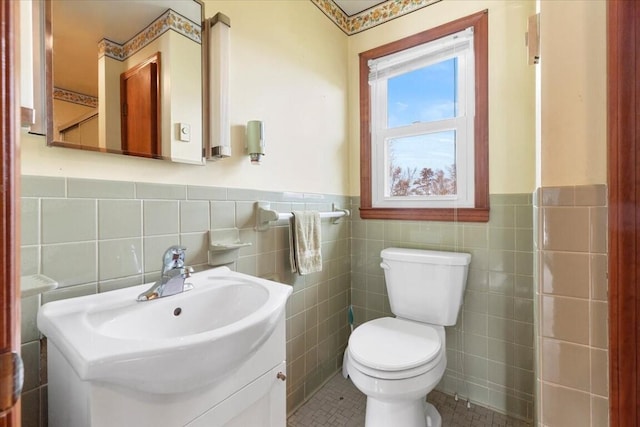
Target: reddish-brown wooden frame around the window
[480,212]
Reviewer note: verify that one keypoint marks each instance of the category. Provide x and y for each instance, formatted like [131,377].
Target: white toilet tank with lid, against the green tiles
[425,286]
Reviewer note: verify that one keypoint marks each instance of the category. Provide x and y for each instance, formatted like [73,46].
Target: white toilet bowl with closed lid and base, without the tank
[396,363]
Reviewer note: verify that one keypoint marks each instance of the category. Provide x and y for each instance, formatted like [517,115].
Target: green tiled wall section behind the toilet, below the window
[490,349]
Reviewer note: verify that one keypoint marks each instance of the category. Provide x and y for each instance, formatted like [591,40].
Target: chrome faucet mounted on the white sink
[174,274]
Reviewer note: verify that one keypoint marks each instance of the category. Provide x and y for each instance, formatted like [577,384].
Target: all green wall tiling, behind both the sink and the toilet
[489,351]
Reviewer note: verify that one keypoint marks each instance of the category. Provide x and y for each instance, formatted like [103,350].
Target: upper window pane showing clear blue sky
[424,95]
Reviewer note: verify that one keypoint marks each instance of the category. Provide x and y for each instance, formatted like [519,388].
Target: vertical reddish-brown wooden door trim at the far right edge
[623,90]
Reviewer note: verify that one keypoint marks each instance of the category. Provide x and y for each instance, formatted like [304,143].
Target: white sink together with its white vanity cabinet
[211,356]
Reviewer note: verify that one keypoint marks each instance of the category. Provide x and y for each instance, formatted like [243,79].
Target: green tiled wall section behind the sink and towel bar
[96,236]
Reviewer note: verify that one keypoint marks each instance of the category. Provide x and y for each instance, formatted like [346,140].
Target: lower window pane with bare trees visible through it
[422,165]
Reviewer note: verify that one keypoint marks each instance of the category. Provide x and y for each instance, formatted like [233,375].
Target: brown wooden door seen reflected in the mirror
[140,108]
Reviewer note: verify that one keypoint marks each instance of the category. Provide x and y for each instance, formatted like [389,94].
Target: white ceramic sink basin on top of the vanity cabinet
[173,344]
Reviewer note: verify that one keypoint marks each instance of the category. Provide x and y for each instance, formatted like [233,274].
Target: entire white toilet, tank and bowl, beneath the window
[397,361]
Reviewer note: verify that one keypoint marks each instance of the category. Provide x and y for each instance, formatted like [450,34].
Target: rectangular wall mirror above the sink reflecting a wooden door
[125,79]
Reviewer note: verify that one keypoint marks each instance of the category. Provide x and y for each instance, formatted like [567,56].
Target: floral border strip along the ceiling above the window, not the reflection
[371,17]
